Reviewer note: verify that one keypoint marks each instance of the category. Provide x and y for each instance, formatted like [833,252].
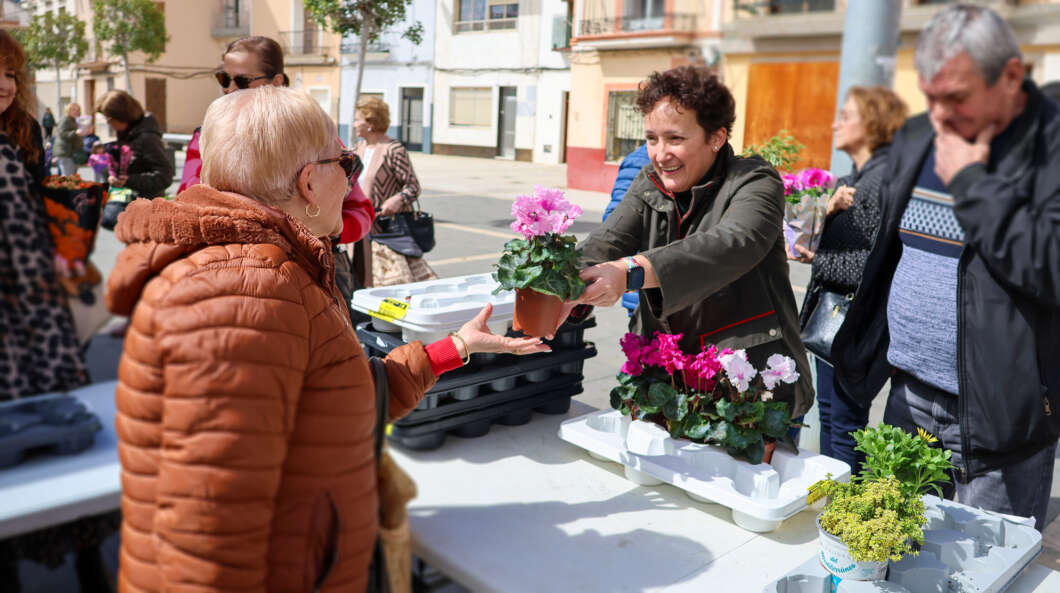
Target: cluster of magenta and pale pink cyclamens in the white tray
[715,397]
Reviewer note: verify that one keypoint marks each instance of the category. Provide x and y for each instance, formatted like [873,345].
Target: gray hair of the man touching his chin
[966,28]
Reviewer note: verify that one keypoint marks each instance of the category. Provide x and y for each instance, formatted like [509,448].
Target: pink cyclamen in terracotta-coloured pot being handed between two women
[542,268]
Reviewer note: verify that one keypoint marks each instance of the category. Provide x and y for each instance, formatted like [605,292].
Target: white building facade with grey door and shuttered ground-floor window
[501,91]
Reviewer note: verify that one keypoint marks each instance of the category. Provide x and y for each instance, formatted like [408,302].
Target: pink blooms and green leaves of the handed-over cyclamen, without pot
[544,259]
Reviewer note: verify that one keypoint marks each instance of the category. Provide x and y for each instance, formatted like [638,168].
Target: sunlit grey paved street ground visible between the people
[471,201]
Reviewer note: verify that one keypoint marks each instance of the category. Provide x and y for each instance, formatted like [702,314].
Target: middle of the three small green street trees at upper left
[131,26]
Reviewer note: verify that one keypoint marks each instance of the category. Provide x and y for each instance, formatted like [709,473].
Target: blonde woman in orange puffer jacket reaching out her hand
[245,403]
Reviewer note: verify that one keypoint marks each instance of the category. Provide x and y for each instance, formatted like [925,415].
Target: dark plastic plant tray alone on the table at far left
[60,426]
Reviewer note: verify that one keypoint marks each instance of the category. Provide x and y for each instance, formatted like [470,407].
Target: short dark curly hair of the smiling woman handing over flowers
[692,88]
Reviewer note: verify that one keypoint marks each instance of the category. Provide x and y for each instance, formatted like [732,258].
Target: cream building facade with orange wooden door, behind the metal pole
[783,63]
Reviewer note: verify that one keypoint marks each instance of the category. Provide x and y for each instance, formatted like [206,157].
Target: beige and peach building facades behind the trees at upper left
[179,86]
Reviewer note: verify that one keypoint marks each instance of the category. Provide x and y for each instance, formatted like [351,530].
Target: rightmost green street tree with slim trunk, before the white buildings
[367,20]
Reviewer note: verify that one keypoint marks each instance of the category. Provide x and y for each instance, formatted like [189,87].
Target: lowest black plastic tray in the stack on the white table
[515,412]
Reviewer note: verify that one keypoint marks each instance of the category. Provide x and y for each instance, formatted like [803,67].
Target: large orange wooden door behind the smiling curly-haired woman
[799,97]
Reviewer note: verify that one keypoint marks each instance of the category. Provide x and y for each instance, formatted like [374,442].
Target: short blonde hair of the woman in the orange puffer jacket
[255,143]
